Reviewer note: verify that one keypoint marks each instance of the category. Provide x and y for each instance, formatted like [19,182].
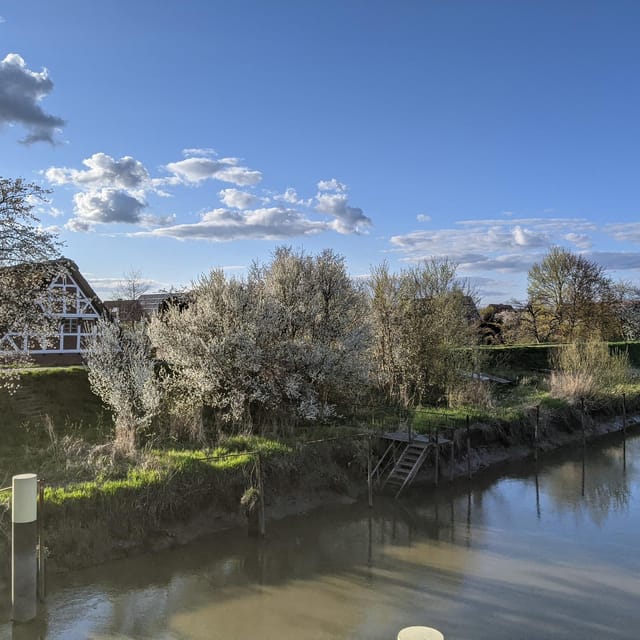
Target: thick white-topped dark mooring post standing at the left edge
[24,568]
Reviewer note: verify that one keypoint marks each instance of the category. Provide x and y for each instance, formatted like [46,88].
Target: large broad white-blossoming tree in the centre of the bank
[288,342]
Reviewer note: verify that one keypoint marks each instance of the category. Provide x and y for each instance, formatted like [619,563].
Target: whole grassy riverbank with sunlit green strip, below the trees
[99,505]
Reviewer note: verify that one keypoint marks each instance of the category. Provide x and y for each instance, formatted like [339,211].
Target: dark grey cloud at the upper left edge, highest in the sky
[21,91]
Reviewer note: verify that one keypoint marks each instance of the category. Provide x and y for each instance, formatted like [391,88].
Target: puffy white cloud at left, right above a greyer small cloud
[103,171]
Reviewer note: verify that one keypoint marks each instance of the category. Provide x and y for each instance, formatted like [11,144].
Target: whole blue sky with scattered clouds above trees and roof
[181,136]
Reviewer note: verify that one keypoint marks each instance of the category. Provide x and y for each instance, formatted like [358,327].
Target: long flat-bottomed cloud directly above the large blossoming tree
[223,225]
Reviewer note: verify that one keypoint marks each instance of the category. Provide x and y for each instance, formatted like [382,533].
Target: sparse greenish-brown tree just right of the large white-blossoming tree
[422,320]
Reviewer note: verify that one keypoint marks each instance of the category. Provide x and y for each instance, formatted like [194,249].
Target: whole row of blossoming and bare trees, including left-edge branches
[298,339]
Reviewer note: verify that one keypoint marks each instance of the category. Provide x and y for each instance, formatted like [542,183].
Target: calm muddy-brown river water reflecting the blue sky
[550,553]
